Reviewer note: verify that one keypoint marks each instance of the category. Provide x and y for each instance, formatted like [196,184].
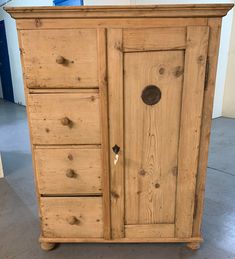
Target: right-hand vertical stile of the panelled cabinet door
[192,100]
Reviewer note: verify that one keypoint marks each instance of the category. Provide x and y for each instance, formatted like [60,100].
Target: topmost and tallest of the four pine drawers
[60,58]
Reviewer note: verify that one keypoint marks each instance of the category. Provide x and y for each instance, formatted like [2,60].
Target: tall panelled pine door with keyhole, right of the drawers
[156,85]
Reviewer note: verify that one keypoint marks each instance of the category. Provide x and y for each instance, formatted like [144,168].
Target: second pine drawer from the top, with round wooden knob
[64,118]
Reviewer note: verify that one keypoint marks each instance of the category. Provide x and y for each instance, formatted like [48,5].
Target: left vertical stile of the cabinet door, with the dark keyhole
[115,79]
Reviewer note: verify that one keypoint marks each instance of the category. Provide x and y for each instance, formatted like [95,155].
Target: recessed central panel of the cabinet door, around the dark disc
[152,136]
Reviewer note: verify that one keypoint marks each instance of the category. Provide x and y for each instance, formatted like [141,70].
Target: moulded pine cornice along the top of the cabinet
[178,10]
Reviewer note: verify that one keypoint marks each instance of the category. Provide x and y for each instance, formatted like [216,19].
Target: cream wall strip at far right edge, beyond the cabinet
[229,91]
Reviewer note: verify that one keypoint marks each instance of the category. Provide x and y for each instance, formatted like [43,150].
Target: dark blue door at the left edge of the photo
[5,70]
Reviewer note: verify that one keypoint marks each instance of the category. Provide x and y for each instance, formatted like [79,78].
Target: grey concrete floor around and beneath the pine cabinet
[19,225]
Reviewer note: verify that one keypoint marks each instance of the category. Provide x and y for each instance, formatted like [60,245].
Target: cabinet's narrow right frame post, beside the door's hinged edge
[213,49]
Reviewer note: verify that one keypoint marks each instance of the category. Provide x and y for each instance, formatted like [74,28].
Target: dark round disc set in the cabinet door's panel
[151,95]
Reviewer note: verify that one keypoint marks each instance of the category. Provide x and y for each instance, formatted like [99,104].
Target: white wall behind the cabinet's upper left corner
[13,46]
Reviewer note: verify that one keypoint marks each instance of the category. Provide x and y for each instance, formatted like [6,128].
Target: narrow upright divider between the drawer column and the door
[103,91]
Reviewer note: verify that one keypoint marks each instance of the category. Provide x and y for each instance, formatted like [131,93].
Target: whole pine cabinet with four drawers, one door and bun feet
[119,103]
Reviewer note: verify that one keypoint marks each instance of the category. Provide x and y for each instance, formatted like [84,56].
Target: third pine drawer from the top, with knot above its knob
[68,170]
